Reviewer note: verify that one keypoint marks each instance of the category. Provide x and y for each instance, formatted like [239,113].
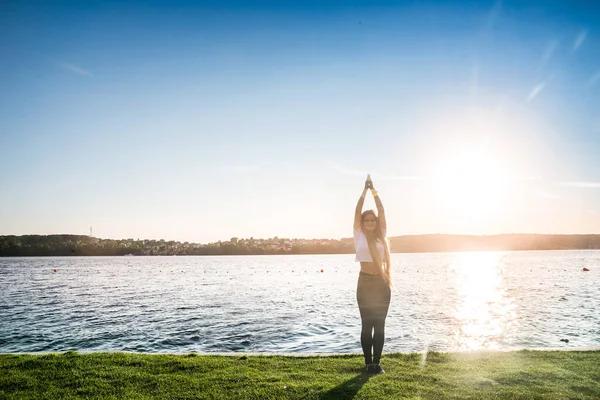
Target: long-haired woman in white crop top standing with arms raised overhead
[374,281]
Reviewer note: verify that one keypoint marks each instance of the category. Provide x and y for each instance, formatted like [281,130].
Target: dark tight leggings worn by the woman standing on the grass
[373,296]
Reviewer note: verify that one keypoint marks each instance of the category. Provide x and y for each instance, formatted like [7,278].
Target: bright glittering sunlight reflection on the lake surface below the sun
[484,313]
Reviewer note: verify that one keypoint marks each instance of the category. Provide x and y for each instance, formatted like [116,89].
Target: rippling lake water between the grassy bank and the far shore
[298,303]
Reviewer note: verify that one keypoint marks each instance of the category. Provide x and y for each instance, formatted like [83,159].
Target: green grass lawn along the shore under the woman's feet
[486,375]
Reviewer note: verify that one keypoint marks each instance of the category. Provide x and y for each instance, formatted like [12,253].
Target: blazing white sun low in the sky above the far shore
[473,188]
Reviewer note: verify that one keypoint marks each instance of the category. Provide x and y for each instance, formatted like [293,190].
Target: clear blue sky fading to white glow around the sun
[200,121]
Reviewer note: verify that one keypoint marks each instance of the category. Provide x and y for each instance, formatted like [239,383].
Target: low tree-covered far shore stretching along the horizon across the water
[81,245]
